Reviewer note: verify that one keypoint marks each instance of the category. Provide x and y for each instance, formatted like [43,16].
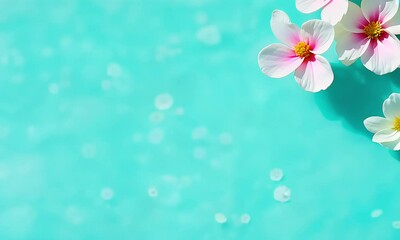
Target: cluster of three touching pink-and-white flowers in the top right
[366,32]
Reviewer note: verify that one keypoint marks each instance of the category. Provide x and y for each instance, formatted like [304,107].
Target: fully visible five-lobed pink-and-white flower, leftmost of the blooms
[300,54]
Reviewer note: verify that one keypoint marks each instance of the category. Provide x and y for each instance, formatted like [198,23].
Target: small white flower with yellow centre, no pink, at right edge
[387,130]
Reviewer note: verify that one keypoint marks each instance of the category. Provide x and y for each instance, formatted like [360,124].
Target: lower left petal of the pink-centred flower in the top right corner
[351,46]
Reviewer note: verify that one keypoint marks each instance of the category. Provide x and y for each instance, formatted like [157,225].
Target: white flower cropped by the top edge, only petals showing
[332,10]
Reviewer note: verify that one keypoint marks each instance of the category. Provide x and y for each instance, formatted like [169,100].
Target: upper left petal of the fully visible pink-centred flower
[283,29]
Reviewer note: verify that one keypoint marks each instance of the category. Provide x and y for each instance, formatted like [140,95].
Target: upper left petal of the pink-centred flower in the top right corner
[354,20]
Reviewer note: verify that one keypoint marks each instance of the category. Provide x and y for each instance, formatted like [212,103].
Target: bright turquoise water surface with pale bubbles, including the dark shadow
[150,120]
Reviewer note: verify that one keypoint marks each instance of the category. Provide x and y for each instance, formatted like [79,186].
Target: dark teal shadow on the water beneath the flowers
[356,94]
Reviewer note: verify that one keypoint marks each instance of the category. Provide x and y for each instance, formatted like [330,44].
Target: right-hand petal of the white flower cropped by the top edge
[334,11]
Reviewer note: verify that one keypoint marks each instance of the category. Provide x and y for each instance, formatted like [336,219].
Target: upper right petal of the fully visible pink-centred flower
[318,34]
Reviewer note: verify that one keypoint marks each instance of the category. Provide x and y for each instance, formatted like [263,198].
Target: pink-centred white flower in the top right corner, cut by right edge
[368,32]
